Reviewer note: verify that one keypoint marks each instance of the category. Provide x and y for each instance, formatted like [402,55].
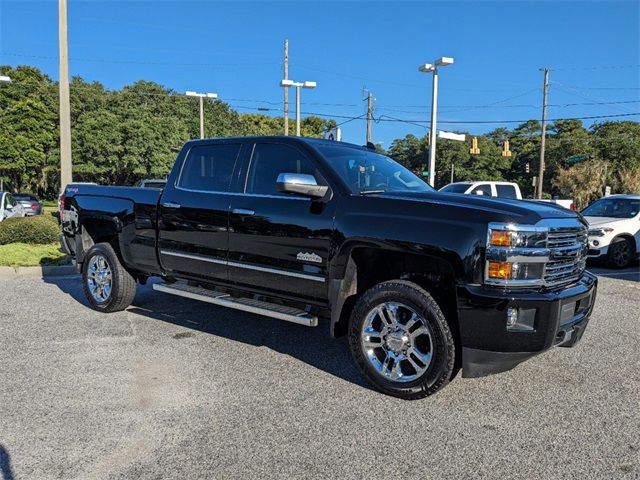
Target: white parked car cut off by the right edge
[614,229]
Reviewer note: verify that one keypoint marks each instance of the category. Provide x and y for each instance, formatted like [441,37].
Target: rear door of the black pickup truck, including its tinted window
[193,225]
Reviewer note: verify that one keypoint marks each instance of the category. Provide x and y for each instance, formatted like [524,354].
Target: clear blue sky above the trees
[235,49]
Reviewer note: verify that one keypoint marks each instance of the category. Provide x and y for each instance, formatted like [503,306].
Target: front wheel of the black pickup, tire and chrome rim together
[401,341]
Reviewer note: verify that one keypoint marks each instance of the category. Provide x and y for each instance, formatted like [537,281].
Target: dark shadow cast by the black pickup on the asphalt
[313,346]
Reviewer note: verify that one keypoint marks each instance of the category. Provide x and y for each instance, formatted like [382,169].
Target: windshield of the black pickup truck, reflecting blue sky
[368,171]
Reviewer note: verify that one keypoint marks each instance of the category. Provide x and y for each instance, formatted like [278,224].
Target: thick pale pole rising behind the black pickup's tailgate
[65,108]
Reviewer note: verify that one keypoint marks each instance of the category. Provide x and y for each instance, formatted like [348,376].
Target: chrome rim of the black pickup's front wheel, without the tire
[397,341]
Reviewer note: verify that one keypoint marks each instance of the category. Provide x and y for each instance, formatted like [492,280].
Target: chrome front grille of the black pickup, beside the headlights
[567,255]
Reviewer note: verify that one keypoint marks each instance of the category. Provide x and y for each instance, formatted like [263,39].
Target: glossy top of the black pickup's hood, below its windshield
[520,211]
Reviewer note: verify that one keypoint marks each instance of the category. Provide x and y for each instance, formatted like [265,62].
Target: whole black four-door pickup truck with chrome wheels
[423,283]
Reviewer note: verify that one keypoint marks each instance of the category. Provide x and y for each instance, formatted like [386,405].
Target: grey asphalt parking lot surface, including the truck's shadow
[173,388]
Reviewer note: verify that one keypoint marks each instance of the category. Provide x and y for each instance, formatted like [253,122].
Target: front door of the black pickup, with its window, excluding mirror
[279,242]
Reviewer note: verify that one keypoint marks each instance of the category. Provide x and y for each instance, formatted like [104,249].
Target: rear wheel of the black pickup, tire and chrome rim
[108,286]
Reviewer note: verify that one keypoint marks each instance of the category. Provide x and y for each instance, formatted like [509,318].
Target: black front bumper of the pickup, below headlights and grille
[488,346]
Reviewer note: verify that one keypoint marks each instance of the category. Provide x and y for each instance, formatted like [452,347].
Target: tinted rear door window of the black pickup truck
[209,168]
